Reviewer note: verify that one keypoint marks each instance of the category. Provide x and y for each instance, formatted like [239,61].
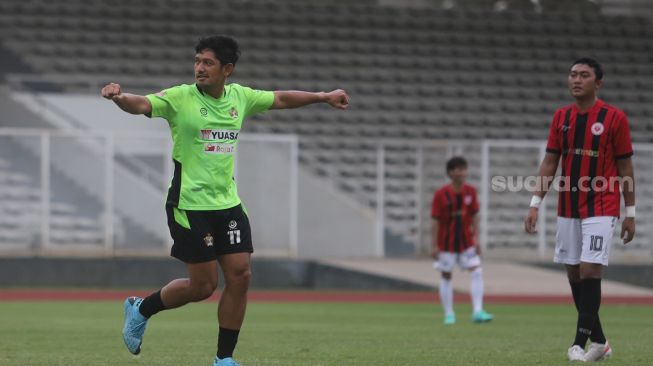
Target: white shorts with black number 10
[584,240]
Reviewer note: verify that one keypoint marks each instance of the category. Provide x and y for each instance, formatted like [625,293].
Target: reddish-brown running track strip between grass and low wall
[310,296]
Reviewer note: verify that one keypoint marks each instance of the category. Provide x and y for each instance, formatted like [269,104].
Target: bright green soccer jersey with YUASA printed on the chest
[205,136]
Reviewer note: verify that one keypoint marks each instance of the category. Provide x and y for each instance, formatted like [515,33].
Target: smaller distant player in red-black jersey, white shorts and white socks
[455,239]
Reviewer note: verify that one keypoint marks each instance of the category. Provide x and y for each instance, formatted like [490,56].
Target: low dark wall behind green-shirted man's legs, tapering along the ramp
[156,272]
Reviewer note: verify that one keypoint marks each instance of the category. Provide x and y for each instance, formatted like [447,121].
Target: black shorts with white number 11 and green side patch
[211,233]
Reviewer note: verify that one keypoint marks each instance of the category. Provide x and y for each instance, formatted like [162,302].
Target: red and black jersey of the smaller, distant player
[455,214]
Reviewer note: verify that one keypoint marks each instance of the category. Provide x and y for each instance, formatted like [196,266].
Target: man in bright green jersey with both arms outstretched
[205,216]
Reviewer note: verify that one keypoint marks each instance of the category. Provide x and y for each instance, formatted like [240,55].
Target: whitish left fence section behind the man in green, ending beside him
[82,192]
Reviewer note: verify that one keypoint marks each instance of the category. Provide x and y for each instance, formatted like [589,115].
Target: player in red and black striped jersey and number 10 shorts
[592,140]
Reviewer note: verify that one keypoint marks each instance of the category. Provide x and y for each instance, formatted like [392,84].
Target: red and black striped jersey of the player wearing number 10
[590,143]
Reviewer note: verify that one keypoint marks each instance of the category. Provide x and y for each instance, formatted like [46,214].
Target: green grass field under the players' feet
[88,333]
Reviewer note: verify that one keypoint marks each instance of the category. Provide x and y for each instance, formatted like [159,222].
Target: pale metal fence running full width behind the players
[71,192]
